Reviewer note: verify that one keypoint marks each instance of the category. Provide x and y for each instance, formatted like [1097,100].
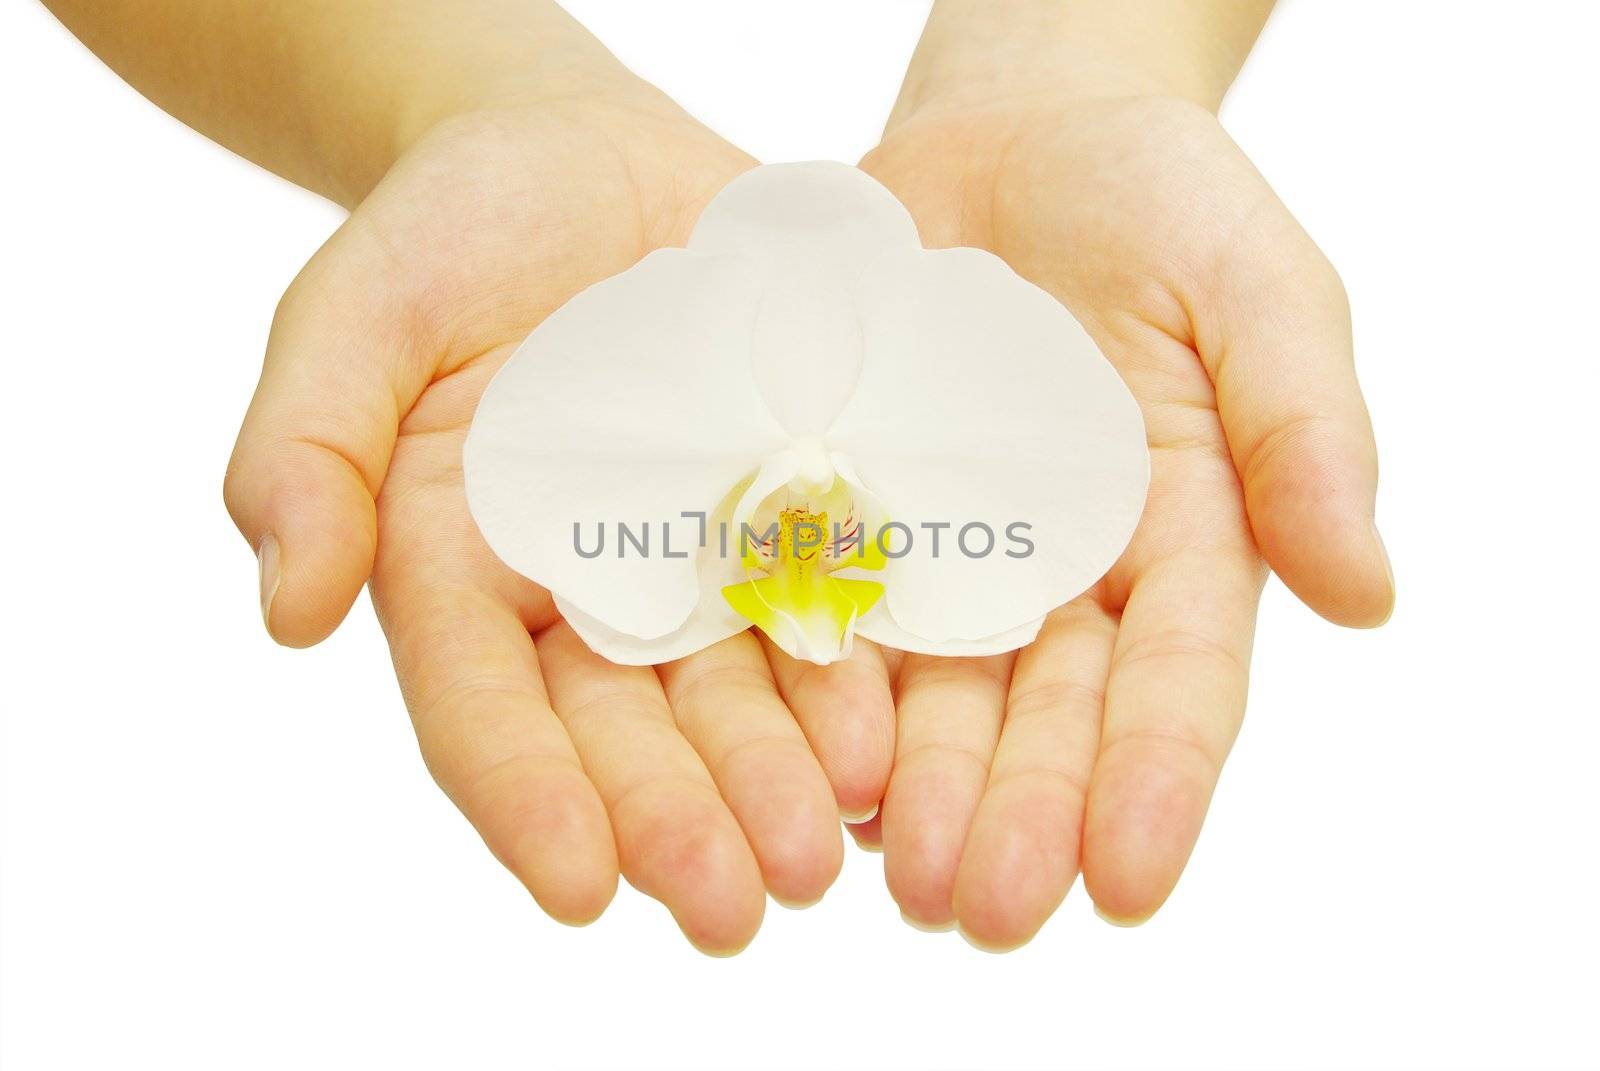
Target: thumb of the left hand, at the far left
[342,367]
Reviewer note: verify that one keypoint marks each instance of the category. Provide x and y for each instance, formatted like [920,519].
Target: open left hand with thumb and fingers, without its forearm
[694,780]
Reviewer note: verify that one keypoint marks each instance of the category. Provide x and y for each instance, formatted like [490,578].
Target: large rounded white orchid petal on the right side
[985,403]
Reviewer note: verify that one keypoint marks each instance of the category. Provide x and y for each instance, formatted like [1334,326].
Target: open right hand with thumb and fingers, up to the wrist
[1098,747]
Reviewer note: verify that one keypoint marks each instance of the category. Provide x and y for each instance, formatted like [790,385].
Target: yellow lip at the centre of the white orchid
[796,600]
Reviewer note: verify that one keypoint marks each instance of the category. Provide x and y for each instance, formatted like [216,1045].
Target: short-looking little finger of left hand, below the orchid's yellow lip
[847,713]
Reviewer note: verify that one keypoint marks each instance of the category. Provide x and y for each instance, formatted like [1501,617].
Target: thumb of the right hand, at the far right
[1281,358]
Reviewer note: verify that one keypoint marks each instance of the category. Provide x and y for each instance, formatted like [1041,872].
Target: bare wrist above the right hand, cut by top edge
[974,57]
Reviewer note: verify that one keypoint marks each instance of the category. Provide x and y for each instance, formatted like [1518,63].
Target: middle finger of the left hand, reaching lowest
[676,838]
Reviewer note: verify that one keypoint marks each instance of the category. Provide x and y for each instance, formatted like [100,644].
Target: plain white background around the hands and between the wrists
[220,854]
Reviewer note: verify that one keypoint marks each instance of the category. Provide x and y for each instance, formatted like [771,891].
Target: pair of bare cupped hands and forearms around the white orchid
[498,161]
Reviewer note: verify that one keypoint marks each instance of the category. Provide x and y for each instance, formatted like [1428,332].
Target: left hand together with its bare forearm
[497,161]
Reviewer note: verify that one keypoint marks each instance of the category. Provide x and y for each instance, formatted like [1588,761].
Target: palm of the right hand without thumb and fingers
[1108,214]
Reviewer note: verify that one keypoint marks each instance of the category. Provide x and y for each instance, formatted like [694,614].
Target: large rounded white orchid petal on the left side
[631,404]
